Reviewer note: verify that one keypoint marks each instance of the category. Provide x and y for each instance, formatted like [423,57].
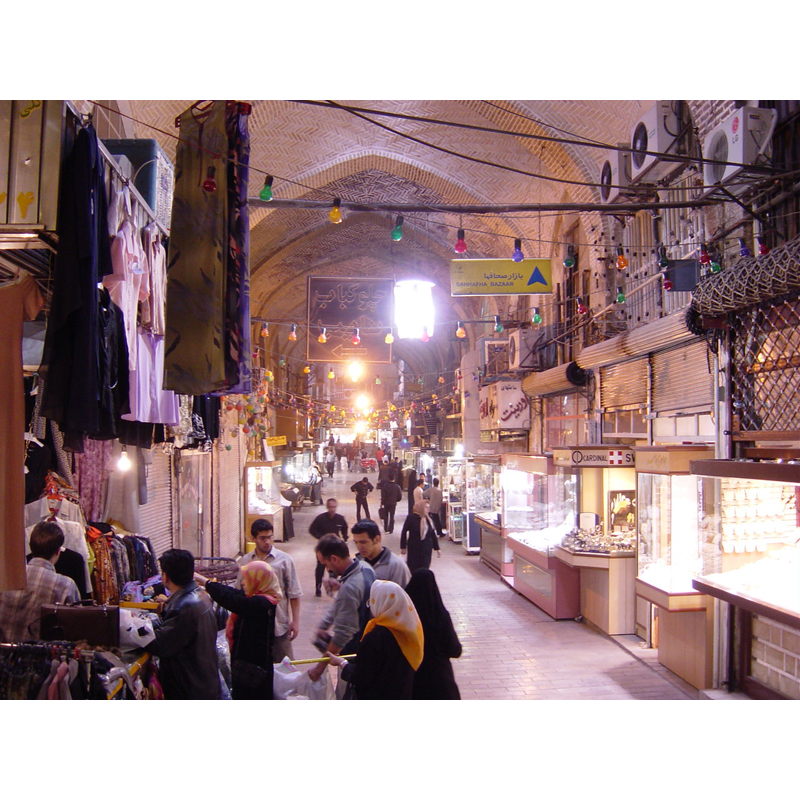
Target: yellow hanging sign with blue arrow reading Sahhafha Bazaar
[499,276]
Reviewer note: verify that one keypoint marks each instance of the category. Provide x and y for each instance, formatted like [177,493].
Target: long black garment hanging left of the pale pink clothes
[72,387]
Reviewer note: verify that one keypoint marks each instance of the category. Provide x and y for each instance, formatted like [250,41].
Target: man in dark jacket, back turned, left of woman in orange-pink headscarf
[186,635]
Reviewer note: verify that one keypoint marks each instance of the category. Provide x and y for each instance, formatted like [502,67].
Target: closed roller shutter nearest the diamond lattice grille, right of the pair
[682,378]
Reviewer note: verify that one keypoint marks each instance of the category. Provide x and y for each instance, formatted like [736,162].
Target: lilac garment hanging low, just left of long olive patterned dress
[149,402]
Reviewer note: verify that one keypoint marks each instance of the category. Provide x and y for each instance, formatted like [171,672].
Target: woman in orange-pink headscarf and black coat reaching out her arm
[250,629]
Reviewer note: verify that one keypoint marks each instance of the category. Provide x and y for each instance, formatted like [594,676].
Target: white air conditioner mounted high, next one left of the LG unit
[655,132]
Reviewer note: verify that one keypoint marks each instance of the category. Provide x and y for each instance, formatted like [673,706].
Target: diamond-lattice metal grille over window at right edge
[764,366]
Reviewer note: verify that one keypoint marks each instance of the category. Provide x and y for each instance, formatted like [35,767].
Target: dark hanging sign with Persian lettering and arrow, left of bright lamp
[355,315]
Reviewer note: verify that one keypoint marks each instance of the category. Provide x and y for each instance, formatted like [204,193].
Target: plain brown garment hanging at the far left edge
[20,300]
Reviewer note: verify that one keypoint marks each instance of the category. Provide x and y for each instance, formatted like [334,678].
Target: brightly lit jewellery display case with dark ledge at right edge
[750,559]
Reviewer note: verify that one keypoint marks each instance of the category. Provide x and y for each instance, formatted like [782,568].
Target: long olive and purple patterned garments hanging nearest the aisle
[207,269]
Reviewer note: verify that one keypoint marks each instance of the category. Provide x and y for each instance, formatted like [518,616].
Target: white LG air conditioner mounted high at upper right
[744,138]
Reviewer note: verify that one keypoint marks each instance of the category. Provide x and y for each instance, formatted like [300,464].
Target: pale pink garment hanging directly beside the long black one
[128,284]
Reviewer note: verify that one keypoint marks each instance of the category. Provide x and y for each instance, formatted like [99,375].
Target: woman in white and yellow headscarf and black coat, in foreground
[391,649]
